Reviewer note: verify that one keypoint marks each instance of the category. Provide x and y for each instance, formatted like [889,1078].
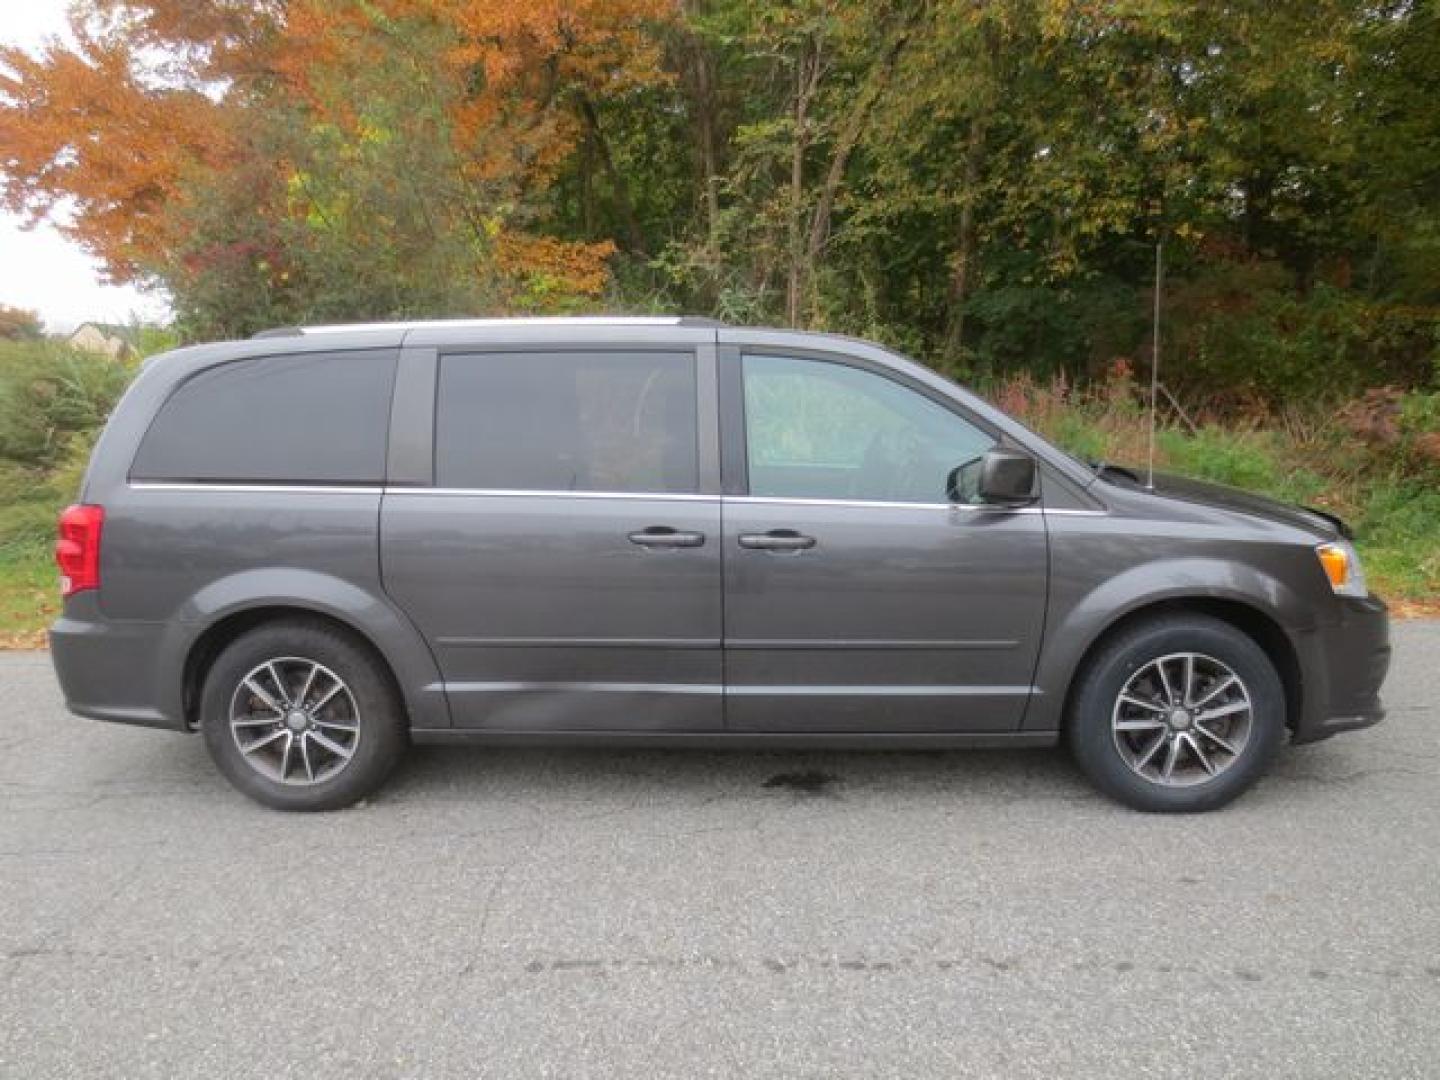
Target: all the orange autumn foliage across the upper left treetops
[155,93]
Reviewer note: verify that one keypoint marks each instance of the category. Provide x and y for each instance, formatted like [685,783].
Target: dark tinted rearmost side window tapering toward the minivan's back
[307,418]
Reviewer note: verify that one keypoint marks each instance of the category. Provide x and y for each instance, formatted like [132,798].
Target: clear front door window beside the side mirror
[822,430]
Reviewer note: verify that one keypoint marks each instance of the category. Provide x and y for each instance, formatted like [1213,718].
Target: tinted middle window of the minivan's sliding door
[568,423]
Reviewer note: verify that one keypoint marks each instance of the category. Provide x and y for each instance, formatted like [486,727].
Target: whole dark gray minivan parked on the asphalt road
[322,545]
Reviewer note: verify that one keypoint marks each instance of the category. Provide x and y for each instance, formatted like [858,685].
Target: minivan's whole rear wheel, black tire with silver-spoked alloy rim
[379,724]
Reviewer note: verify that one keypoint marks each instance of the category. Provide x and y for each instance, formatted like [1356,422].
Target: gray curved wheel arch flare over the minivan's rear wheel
[384,626]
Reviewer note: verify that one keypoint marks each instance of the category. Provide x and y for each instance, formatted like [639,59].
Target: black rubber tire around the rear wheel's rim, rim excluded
[382,738]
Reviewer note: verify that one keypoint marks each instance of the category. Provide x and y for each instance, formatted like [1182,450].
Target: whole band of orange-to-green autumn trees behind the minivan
[980,182]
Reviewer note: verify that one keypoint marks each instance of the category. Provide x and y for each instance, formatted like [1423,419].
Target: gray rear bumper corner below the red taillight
[110,670]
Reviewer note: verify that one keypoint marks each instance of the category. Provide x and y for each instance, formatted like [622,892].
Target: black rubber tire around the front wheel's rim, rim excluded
[1091,732]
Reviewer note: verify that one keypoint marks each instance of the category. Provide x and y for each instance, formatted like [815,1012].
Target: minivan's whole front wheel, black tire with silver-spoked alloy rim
[1114,761]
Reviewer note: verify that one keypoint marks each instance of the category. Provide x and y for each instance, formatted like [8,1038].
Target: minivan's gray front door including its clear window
[858,597]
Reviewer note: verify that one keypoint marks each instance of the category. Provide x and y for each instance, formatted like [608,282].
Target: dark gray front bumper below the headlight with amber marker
[1344,670]
